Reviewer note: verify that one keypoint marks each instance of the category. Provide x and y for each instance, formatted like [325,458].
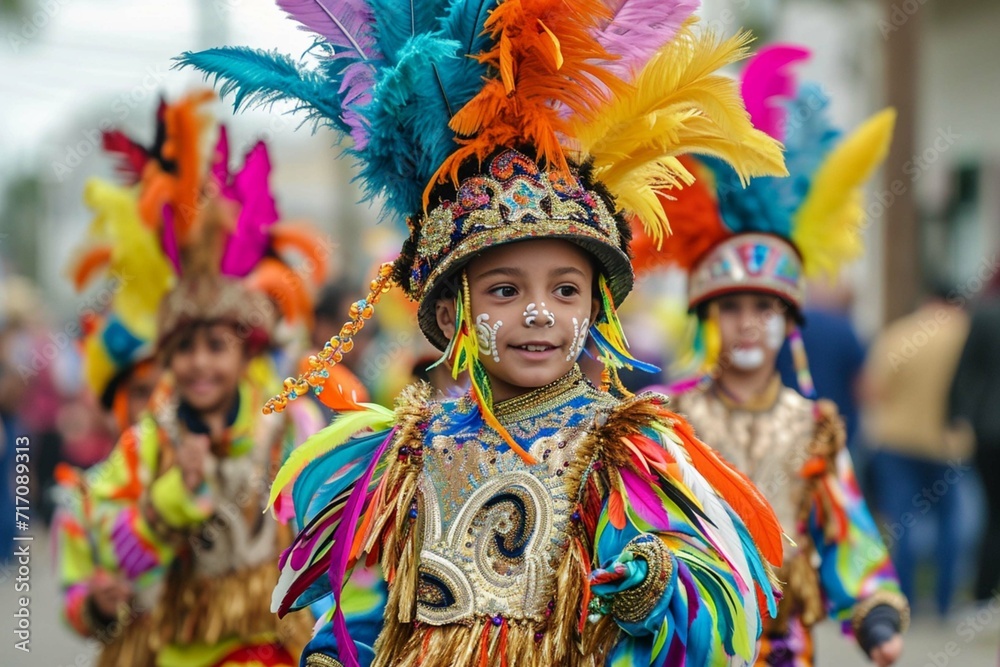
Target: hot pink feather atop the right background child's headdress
[768,84]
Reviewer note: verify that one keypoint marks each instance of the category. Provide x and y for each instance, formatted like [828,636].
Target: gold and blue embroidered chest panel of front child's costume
[494,528]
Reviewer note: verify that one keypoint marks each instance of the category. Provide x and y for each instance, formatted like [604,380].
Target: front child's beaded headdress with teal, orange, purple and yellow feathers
[492,122]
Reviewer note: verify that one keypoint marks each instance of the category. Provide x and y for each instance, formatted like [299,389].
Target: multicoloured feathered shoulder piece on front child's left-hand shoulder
[345,483]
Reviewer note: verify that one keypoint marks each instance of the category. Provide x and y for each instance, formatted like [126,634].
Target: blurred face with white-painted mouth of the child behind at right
[752,328]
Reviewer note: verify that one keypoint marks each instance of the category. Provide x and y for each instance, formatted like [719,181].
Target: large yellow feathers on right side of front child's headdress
[679,103]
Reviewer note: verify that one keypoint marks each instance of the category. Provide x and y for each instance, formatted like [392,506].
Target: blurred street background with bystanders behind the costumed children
[921,306]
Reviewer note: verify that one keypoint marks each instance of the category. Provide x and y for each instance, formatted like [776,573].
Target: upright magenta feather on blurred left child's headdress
[248,243]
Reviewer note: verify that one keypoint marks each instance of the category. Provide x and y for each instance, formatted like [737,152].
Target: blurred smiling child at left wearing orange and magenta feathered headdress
[175,512]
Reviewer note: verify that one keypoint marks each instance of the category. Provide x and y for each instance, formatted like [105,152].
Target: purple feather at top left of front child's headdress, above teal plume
[345,24]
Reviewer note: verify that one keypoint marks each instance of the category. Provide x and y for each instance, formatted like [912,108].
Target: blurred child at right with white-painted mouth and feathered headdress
[747,251]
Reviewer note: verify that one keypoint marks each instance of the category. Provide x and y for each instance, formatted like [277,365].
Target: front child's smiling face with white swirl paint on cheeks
[532,303]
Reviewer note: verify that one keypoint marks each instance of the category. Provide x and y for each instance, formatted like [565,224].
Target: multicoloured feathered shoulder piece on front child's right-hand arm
[724,535]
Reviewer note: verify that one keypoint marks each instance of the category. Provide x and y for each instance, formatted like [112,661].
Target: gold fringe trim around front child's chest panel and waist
[405,643]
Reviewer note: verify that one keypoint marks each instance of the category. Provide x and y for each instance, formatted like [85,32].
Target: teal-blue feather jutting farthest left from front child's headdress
[261,78]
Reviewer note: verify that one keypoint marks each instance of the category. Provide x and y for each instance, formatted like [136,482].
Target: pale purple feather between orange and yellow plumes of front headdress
[638,29]
